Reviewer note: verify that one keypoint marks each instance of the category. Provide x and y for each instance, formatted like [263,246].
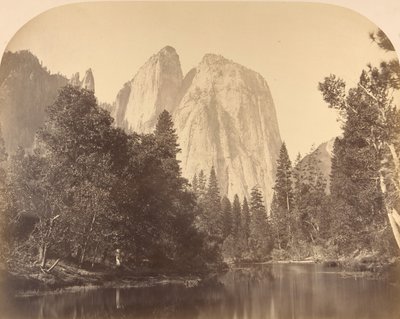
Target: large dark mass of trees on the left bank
[92,189]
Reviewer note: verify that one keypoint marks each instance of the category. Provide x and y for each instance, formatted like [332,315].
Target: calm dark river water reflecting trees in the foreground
[265,291]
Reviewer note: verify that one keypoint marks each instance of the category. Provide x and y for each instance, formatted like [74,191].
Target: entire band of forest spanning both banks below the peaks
[91,194]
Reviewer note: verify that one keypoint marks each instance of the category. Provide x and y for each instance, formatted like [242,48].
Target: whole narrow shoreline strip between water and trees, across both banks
[70,278]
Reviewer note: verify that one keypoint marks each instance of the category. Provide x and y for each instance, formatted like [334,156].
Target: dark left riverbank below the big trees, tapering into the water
[28,281]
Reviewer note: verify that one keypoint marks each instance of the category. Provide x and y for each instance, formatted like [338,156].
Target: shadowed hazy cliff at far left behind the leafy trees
[26,89]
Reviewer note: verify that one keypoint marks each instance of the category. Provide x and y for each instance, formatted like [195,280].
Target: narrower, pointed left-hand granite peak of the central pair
[153,89]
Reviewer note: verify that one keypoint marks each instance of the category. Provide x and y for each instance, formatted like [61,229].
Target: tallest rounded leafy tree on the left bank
[78,146]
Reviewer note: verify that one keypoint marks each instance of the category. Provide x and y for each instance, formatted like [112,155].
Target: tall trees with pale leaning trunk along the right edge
[362,185]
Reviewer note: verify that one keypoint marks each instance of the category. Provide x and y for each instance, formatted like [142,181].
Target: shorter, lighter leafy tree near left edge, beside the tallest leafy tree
[33,194]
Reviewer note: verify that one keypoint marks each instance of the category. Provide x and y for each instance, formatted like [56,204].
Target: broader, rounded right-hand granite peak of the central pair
[226,118]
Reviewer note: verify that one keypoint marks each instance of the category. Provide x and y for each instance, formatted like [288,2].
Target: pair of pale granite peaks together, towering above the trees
[224,116]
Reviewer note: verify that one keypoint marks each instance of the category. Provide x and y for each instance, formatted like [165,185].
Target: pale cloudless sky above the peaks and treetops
[292,45]
